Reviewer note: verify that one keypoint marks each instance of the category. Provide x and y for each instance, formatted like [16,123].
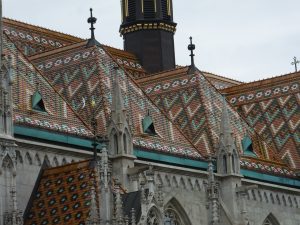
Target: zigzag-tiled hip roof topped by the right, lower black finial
[195,106]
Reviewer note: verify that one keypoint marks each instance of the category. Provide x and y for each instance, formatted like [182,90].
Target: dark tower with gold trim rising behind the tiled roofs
[148,31]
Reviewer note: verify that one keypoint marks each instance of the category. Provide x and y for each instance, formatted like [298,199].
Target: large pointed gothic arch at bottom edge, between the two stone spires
[175,214]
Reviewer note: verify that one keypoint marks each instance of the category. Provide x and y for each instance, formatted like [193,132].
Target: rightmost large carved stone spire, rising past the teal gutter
[228,159]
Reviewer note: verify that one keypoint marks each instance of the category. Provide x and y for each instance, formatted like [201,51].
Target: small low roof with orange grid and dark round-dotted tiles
[62,195]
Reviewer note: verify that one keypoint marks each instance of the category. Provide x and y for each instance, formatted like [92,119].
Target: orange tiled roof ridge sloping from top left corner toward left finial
[41,29]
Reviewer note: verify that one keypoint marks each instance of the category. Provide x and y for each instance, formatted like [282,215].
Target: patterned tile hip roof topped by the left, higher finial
[84,75]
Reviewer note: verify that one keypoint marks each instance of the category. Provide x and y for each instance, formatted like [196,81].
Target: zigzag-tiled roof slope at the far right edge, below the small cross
[272,108]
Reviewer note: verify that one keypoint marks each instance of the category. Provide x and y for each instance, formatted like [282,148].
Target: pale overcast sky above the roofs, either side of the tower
[243,39]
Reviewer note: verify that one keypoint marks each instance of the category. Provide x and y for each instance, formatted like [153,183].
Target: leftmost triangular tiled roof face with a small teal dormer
[59,115]
